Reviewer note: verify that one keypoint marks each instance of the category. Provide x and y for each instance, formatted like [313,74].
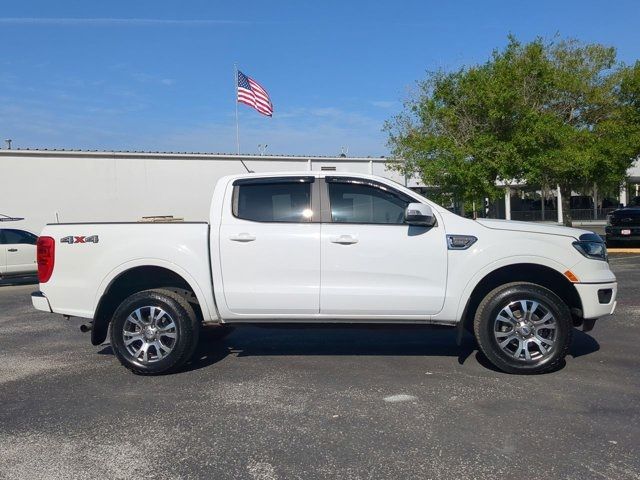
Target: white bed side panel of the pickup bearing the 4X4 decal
[84,271]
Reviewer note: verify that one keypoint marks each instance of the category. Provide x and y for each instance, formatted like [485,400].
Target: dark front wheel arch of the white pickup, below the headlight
[542,275]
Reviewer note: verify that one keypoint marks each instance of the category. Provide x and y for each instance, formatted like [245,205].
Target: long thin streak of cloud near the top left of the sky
[115,22]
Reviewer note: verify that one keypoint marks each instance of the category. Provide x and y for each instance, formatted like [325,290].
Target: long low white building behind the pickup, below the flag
[45,186]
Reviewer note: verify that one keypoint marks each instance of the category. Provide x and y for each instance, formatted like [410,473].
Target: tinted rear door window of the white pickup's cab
[273,200]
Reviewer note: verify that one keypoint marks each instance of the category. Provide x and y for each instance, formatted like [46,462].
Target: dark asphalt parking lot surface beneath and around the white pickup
[344,403]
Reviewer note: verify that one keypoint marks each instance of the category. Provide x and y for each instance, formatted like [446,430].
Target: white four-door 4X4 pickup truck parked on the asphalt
[318,248]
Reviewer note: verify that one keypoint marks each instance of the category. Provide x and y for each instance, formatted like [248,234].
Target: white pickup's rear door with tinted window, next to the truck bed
[270,247]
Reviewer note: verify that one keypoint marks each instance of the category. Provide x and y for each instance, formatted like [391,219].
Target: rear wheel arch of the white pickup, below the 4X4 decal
[131,278]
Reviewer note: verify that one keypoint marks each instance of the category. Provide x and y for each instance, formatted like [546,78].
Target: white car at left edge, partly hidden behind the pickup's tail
[17,252]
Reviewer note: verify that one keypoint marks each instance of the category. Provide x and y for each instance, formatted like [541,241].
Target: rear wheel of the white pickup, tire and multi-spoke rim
[154,332]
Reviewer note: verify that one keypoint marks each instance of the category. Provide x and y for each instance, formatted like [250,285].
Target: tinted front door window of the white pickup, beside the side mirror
[357,202]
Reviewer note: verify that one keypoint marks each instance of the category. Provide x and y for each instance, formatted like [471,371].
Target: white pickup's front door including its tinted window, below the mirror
[373,264]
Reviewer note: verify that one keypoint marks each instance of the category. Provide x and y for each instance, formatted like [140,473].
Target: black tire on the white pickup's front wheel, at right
[487,328]
